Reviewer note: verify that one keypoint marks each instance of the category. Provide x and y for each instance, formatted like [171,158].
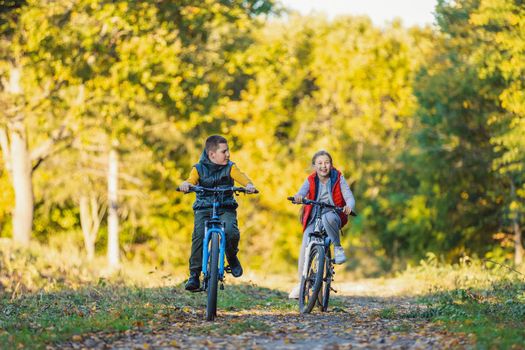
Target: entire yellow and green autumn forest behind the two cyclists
[106,105]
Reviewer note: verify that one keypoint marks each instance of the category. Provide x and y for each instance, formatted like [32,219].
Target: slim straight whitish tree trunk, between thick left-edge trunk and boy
[113,234]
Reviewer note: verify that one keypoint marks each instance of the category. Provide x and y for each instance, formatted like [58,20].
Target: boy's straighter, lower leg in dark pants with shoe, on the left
[196,249]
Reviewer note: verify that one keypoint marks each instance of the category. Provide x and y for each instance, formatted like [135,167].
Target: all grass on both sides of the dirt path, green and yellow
[43,302]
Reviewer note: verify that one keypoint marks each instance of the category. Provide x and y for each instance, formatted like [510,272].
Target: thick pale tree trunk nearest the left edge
[22,182]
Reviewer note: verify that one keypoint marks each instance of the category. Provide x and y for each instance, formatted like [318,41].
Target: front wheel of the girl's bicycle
[311,283]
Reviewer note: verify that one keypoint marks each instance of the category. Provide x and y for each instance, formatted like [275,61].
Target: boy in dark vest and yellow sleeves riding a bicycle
[214,169]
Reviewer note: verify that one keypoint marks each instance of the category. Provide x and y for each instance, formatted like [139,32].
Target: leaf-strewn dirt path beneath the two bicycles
[372,322]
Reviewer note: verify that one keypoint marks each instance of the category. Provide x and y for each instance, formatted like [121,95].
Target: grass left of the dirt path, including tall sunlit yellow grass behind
[43,302]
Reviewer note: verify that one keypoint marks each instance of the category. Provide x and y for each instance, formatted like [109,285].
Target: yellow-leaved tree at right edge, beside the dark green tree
[501,56]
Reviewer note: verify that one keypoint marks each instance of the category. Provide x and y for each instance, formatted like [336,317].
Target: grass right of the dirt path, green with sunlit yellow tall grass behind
[474,297]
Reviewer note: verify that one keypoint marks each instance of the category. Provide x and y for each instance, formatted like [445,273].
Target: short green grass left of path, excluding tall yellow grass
[48,318]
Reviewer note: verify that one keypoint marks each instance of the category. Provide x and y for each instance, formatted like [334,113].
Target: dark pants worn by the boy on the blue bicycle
[229,218]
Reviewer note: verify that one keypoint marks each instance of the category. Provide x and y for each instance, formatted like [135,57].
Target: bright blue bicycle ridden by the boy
[214,247]
